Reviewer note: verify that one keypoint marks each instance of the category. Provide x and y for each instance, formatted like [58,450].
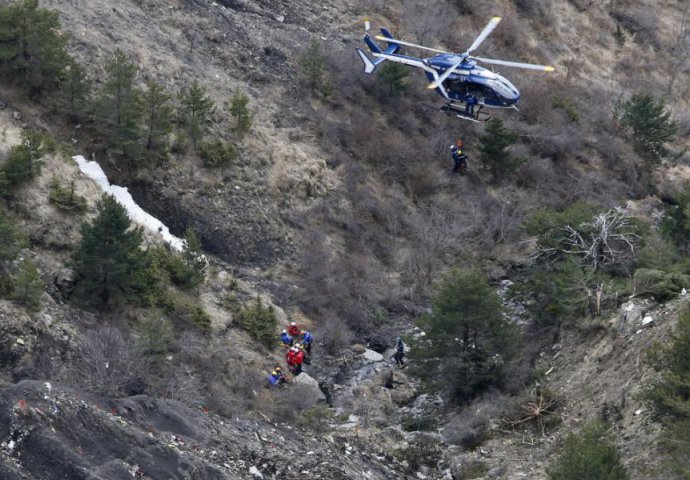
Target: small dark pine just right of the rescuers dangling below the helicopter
[494,149]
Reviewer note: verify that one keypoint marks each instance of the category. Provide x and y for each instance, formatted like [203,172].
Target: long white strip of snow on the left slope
[137,214]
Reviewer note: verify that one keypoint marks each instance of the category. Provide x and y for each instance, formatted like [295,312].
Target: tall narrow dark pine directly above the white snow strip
[119,108]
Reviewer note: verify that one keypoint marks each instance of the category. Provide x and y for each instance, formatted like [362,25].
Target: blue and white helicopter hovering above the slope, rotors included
[456,77]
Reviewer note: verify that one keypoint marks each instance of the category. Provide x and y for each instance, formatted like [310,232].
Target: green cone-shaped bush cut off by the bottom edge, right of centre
[589,454]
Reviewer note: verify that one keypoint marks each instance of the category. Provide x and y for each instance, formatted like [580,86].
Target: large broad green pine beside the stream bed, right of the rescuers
[467,339]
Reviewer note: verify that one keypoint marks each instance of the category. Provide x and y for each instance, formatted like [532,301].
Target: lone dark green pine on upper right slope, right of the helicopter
[649,127]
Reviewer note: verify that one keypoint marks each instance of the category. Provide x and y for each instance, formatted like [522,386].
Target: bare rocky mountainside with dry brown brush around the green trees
[338,212]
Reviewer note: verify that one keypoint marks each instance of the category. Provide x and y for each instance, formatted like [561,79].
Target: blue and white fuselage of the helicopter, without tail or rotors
[489,88]
